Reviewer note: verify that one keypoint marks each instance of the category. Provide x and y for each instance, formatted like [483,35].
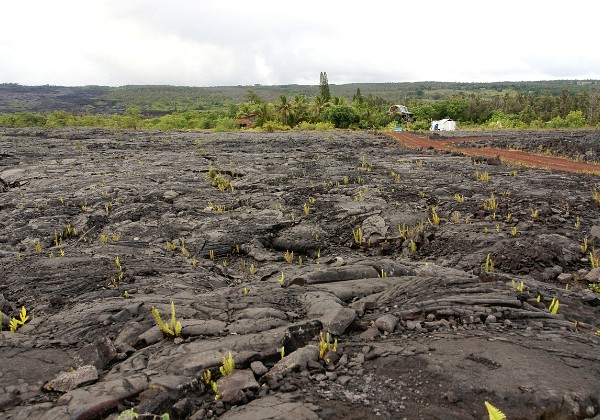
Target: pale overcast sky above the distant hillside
[231,42]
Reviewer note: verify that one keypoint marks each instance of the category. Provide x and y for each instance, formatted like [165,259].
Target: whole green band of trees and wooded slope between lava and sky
[550,104]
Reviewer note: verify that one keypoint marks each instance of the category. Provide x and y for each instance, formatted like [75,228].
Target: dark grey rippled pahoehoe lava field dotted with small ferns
[203,220]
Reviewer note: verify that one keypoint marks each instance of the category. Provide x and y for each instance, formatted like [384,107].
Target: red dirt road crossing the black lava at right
[512,156]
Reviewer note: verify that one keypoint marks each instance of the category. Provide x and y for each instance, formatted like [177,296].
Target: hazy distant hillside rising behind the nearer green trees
[158,100]
